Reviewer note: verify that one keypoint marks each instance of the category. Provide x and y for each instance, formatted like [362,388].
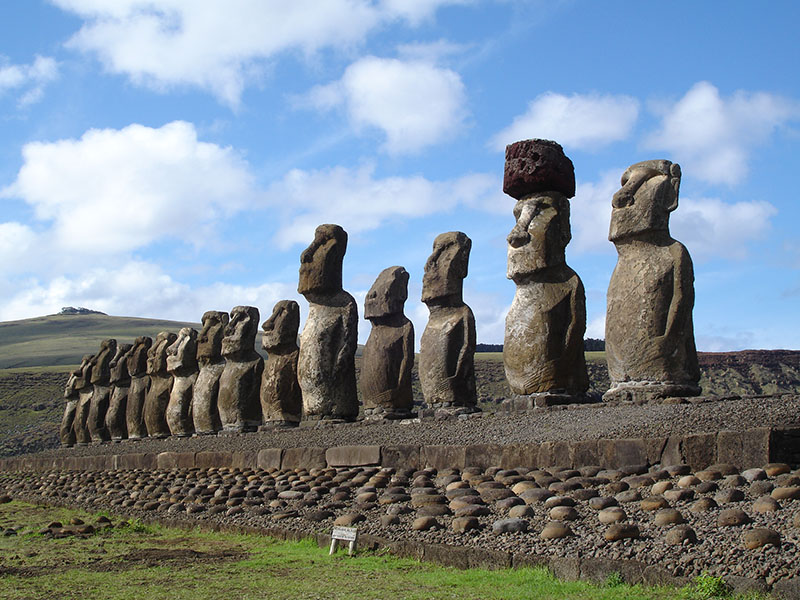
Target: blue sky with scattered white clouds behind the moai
[163,158]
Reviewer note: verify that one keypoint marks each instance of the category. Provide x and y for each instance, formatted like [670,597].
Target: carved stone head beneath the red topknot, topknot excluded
[540,235]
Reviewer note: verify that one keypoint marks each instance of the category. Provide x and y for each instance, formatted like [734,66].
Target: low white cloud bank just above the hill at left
[137,288]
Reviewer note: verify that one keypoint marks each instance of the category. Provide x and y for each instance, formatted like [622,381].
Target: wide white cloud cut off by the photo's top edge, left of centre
[220,49]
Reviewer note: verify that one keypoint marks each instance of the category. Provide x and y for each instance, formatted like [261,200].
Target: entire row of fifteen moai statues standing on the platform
[214,381]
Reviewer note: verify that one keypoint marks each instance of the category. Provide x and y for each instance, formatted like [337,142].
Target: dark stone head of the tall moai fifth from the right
[321,262]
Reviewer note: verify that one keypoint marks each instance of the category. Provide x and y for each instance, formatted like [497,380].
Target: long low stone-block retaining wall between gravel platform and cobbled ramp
[744,449]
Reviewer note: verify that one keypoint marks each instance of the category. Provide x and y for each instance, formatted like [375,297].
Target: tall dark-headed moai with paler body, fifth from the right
[326,367]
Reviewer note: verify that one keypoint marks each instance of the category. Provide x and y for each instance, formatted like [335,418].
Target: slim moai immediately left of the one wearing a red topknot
[447,346]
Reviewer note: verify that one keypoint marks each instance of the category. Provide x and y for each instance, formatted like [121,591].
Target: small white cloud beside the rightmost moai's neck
[709,227]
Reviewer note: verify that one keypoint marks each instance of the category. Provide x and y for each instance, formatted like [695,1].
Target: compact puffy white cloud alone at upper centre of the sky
[414,103]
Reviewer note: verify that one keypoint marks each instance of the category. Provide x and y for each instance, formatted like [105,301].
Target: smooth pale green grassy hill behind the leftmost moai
[63,339]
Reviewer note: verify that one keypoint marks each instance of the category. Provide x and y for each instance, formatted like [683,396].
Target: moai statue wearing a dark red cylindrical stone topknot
[543,348]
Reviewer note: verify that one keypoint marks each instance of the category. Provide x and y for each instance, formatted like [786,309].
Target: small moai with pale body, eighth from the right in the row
[205,413]
